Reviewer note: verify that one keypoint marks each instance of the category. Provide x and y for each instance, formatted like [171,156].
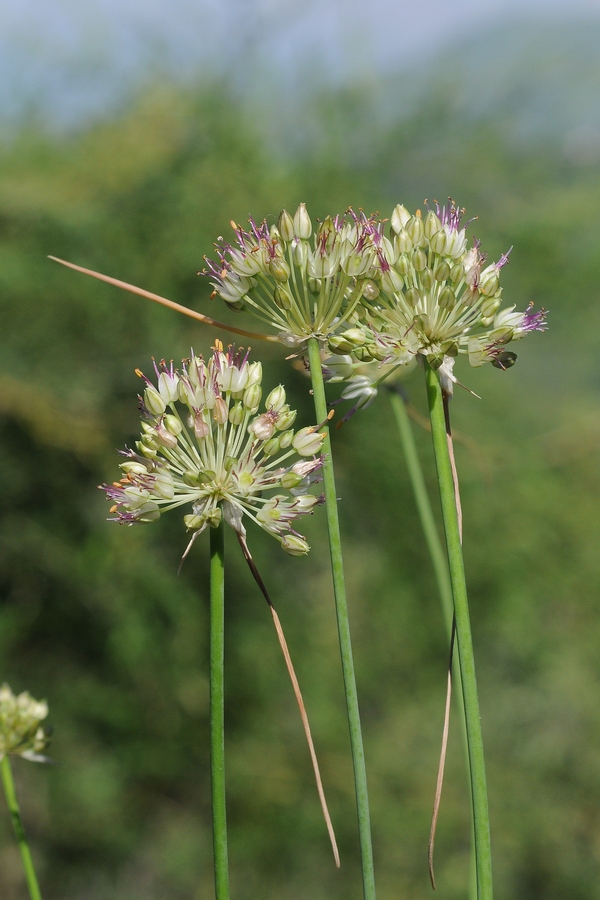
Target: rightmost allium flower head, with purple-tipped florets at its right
[434,296]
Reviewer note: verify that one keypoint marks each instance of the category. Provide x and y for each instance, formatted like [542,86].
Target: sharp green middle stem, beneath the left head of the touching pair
[343,623]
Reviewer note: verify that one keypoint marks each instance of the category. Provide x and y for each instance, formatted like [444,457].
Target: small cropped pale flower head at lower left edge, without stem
[21,732]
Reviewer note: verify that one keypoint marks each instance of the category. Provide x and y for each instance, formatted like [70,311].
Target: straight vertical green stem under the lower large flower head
[217,725]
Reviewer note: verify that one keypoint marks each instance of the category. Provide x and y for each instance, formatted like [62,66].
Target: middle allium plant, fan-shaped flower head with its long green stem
[306,292]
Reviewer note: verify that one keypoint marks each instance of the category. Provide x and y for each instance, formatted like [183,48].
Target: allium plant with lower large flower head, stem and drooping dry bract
[207,448]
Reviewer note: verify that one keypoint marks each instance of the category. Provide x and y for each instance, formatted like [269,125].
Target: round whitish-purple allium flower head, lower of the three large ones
[205,444]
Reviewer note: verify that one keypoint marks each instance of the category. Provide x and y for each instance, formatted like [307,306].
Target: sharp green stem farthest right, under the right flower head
[481,823]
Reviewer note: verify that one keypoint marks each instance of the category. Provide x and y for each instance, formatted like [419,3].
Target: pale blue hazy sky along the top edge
[72,57]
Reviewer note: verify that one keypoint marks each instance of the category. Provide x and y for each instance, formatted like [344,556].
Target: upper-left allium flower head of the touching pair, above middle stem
[301,287]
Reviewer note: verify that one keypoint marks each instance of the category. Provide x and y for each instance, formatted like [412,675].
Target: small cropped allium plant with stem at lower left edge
[21,734]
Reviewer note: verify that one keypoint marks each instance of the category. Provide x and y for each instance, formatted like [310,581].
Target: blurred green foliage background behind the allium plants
[95,619]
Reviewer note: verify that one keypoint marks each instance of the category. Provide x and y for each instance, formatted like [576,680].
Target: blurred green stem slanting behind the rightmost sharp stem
[438,558]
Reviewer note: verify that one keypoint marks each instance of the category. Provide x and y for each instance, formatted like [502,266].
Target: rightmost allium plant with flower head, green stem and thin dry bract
[434,299]
